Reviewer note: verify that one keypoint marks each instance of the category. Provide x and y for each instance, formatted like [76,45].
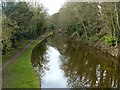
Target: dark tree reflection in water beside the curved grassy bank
[39,58]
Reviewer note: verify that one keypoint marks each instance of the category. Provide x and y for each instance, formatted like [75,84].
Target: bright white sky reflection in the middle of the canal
[54,77]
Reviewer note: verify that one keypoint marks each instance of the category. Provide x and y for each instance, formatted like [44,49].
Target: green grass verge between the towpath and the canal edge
[20,73]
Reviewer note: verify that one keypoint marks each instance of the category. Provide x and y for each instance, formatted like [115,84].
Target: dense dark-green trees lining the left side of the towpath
[21,21]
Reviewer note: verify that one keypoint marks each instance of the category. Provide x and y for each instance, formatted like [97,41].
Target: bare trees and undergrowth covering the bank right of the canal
[96,24]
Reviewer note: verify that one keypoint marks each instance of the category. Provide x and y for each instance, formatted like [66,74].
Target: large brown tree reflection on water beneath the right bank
[84,67]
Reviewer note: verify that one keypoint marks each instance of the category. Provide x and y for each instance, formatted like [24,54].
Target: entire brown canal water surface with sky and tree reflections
[62,64]
